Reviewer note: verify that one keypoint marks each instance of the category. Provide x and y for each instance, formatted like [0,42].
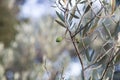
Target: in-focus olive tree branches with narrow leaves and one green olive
[92,26]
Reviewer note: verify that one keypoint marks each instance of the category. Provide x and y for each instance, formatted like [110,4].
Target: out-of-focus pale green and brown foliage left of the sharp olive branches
[28,50]
